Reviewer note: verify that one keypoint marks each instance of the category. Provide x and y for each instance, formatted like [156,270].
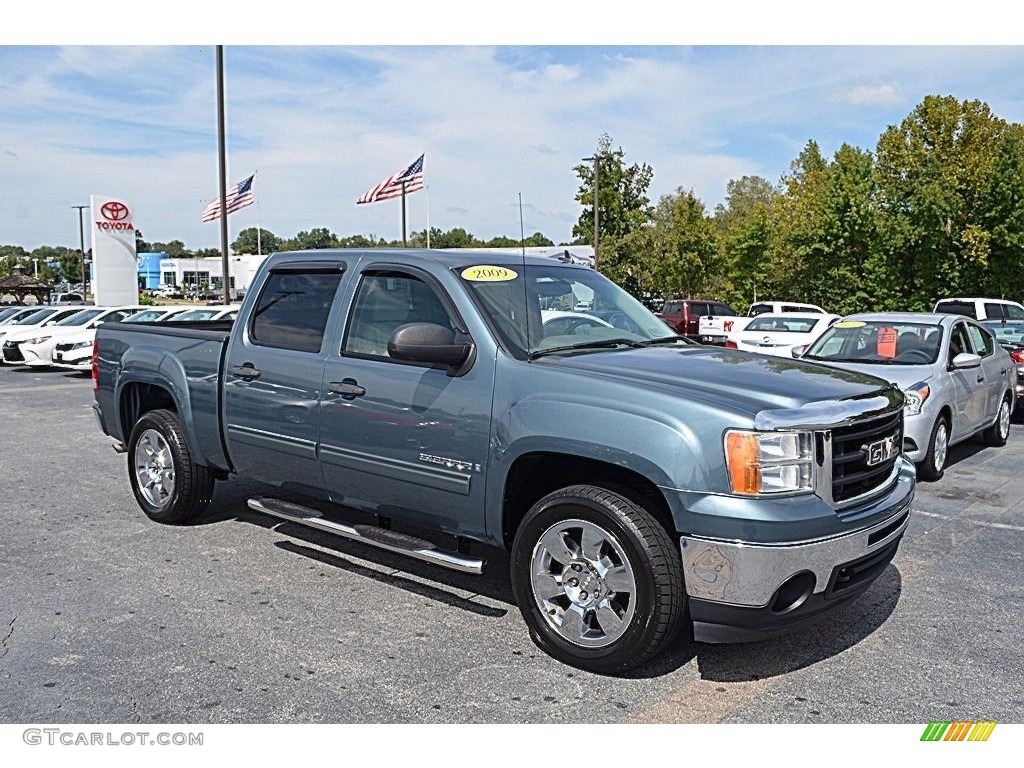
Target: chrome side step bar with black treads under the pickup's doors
[369,535]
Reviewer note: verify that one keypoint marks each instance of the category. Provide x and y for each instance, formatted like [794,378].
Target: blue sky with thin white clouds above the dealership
[320,124]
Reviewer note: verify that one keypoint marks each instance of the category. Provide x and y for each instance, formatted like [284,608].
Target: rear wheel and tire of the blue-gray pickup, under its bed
[168,485]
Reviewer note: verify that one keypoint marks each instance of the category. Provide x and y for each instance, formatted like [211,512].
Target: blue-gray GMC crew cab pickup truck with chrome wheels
[642,484]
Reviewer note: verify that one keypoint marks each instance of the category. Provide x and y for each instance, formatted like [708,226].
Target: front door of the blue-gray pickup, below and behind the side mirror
[405,440]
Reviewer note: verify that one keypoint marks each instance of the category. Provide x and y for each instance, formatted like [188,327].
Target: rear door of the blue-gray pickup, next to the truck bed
[273,376]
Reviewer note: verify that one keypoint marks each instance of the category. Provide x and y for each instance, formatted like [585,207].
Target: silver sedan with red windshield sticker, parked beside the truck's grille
[959,382]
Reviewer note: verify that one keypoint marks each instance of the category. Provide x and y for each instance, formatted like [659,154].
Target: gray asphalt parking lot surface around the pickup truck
[108,618]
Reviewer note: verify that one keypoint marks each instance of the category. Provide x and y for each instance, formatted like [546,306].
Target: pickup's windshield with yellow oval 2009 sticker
[539,310]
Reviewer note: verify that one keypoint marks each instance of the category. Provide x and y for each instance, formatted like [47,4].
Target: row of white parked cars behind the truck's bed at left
[62,336]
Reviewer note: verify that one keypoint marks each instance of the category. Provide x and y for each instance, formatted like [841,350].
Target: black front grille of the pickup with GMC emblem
[856,464]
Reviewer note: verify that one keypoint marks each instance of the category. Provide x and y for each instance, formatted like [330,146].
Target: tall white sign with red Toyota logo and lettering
[114,261]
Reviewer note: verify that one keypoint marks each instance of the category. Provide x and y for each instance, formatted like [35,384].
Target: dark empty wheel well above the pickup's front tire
[535,476]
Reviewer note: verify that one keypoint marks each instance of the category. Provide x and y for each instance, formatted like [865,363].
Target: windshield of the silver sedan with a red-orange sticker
[882,343]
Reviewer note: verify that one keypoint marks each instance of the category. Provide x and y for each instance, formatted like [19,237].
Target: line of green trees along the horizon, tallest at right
[935,209]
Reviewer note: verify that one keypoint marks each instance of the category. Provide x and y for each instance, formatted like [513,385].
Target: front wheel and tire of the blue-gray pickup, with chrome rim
[598,579]
